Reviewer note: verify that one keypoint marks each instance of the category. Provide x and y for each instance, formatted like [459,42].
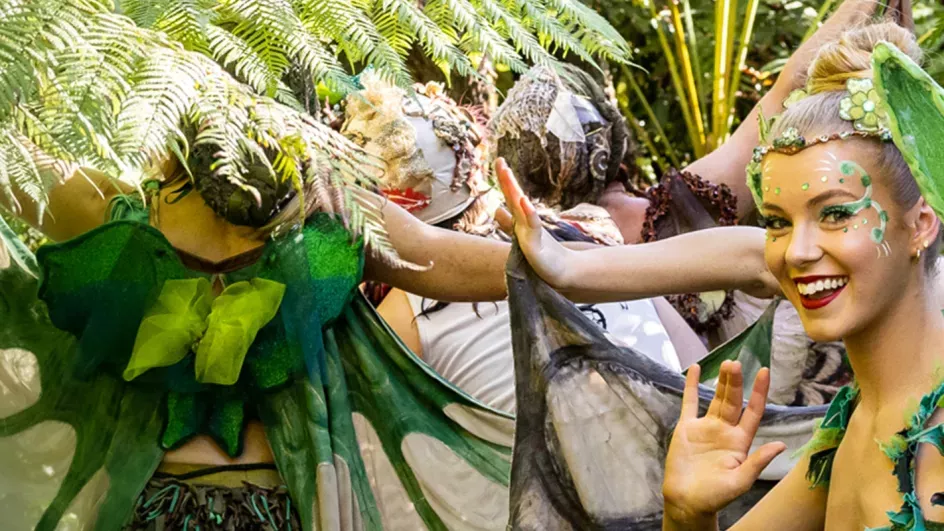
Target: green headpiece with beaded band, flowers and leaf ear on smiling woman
[905,106]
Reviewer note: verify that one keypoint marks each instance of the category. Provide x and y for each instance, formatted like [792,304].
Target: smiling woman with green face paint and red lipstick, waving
[848,191]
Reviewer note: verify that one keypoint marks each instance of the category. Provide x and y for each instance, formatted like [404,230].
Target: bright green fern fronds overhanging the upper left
[119,85]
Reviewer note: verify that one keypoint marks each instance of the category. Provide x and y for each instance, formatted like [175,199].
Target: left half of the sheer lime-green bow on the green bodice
[169,329]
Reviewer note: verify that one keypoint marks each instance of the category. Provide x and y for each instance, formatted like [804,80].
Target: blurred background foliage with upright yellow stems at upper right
[689,51]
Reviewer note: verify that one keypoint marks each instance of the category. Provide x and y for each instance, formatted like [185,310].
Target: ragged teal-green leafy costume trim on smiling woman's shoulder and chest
[901,449]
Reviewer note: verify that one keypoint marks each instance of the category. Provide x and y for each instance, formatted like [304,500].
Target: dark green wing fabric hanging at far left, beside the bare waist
[108,416]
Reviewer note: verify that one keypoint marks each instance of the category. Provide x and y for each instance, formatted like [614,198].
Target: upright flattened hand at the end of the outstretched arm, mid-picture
[544,253]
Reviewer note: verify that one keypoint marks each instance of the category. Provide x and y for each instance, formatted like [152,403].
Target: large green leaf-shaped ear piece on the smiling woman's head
[914,103]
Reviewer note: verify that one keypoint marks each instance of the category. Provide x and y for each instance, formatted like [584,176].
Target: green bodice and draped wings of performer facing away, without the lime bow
[364,434]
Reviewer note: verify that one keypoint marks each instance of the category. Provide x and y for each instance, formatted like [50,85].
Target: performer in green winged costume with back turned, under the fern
[140,347]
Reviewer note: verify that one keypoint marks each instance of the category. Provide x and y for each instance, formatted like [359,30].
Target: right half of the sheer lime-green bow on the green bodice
[237,316]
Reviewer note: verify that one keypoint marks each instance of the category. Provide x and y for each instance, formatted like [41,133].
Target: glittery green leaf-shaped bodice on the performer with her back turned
[101,286]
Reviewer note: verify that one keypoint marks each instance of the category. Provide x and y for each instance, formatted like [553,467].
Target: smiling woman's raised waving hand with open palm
[708,466]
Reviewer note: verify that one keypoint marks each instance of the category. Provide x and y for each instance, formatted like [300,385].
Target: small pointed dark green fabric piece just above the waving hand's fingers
[751,347]
